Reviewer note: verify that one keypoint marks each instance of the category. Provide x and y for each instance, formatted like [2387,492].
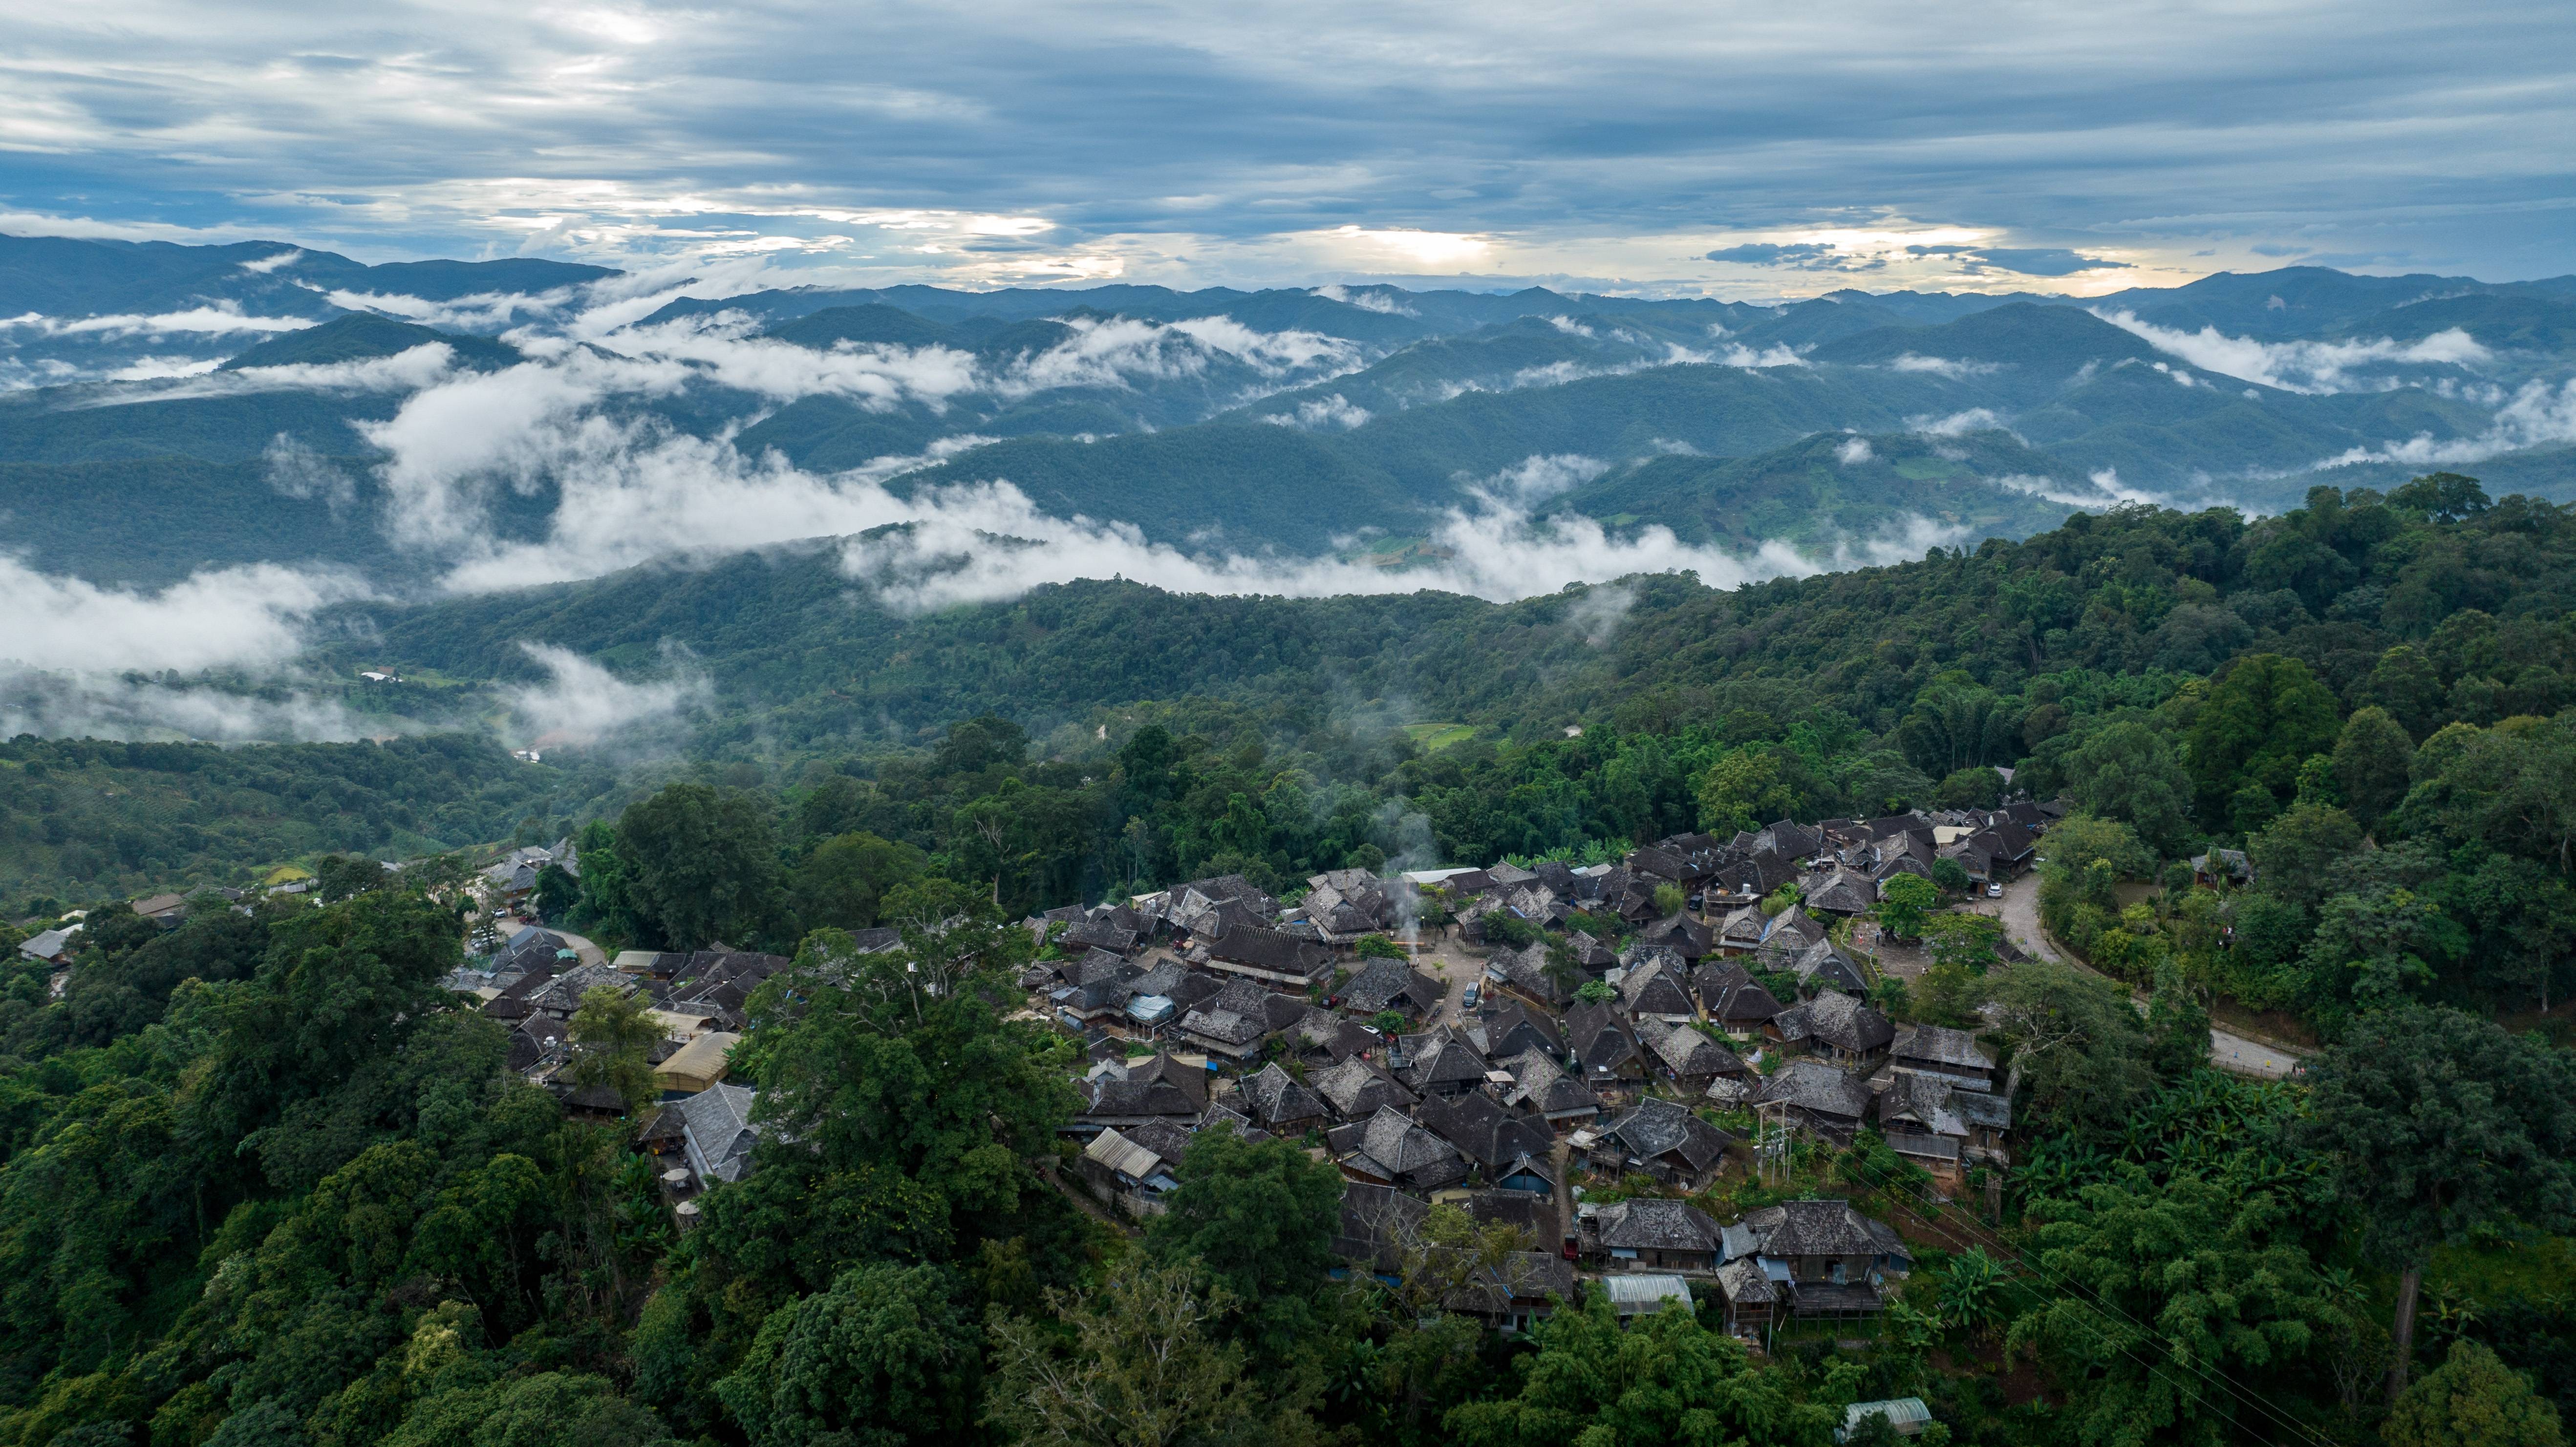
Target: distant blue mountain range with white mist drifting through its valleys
[200,408]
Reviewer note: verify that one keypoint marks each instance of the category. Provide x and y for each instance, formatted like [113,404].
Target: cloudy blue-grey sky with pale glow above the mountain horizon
[1689,148]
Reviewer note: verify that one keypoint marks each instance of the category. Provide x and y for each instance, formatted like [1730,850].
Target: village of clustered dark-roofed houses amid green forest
[1446,1039]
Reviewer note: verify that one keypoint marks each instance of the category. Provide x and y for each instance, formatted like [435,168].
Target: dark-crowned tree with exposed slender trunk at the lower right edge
[2436,1124]
